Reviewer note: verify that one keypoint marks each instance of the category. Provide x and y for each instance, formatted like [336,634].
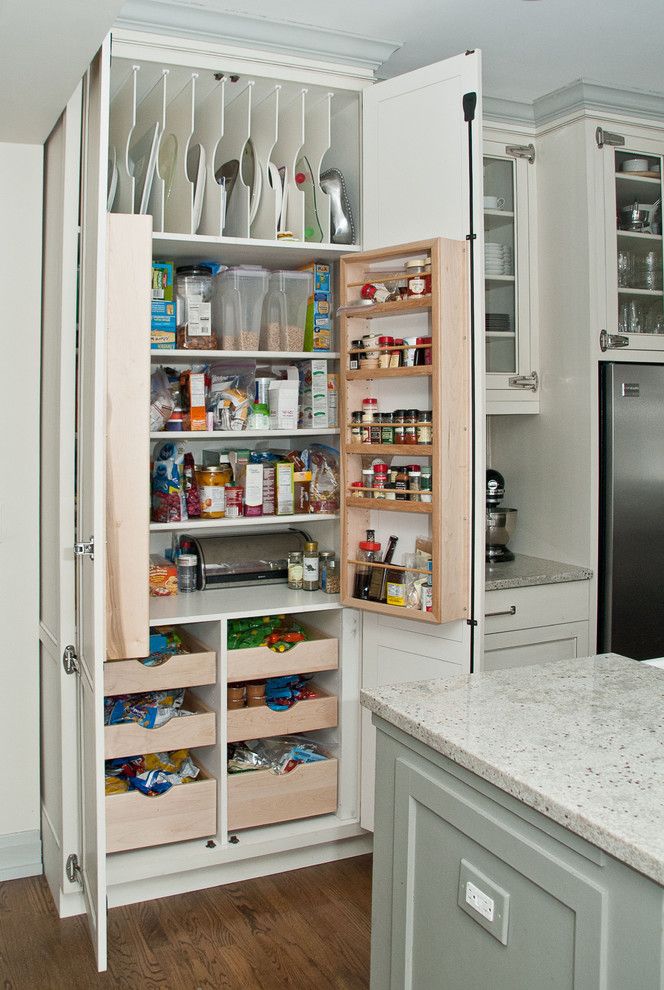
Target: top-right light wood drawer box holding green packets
[321,652]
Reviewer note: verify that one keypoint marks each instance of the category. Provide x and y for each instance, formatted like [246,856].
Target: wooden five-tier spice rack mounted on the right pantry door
[444,387]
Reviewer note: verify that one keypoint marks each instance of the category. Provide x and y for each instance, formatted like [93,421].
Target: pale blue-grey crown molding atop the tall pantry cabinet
[204,21]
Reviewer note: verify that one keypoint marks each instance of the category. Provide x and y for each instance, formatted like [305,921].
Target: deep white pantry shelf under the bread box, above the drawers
[269,599]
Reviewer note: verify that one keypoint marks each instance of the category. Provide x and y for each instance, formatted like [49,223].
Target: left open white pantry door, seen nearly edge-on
[90,490]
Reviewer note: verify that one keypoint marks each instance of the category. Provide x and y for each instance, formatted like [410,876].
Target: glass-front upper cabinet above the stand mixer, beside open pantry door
[509,277]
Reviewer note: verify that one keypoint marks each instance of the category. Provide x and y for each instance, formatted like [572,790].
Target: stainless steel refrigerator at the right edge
[631,559]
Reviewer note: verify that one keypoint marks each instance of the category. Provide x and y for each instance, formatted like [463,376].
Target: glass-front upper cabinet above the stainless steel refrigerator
[634,263]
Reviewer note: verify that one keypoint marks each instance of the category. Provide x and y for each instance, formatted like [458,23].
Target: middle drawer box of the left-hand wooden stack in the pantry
[184,732]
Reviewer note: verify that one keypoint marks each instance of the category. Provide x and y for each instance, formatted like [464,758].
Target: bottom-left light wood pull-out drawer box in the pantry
[186,811]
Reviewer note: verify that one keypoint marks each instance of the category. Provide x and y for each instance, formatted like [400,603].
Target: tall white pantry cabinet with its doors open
[410,183]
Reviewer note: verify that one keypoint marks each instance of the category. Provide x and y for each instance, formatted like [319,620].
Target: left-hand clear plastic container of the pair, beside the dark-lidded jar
[237,304]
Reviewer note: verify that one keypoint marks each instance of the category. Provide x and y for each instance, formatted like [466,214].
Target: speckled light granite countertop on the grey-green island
[581,741]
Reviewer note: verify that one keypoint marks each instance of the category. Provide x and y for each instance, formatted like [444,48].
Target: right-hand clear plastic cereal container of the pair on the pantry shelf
[285,311]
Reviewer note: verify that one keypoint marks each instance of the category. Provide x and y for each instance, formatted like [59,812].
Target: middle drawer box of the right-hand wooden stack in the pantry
[304,716]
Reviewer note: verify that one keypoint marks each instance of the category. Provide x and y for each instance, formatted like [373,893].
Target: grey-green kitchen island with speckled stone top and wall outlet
[519,838]
